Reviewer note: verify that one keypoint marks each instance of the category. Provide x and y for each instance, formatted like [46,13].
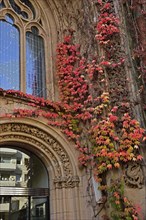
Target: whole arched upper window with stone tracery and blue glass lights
[22,47]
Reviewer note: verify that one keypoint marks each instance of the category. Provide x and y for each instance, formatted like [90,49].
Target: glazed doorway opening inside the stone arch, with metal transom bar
[24,190]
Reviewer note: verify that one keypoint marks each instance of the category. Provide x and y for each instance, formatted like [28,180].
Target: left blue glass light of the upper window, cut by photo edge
[9,55]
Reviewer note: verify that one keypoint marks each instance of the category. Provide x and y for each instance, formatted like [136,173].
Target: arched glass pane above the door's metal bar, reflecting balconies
[21,169]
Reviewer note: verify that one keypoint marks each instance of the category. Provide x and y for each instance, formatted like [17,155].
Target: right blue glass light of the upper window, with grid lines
[35,64]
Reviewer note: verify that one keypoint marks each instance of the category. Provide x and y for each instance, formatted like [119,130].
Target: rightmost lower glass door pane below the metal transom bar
[38,209]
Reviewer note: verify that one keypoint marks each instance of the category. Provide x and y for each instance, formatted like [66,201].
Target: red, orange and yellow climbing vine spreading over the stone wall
[95,110]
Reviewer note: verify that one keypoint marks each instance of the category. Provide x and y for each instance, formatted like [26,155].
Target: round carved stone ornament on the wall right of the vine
[134,175]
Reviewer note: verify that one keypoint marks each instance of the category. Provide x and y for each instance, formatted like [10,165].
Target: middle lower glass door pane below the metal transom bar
[19,208]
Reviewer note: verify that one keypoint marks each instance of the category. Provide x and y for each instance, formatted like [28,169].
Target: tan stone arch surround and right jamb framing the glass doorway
[33,136]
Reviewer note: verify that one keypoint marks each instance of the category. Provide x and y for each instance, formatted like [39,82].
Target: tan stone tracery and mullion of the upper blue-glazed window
[24,26]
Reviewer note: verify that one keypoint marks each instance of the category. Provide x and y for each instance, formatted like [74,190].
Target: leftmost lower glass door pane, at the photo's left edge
[4,207]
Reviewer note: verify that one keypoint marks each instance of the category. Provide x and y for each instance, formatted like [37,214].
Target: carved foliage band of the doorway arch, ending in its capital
[60,160]
